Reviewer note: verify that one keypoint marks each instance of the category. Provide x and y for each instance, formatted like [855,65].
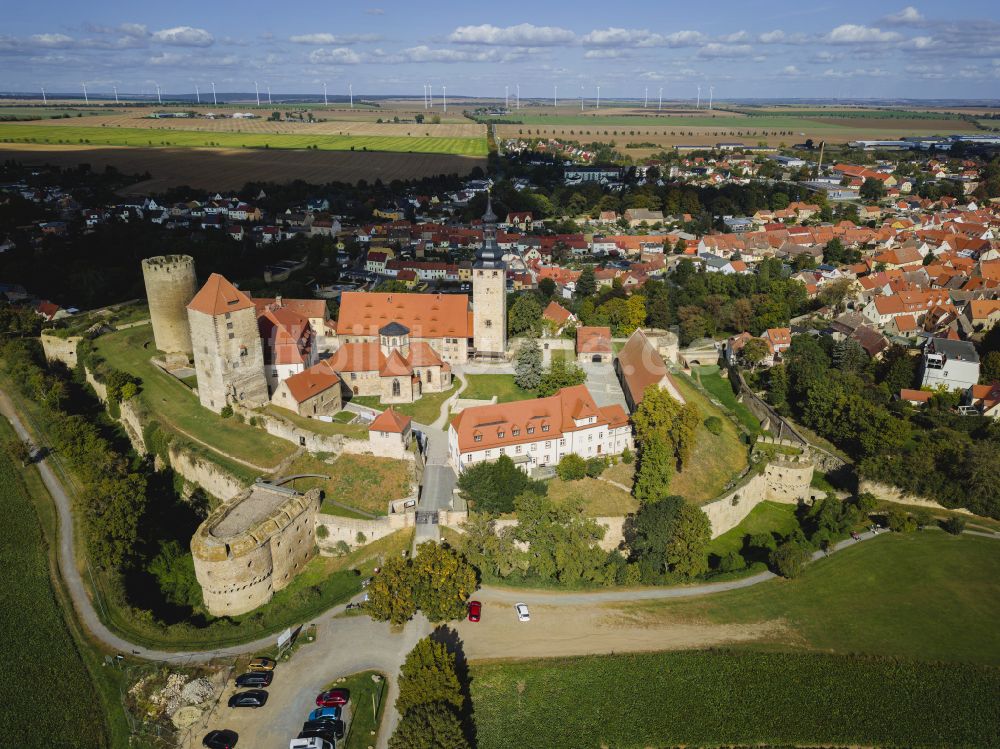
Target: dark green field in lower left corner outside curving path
[39,653]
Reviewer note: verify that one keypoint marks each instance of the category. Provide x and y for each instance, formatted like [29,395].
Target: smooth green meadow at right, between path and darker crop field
[922,595]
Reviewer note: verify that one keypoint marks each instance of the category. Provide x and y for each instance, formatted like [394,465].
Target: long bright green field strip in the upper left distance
[151,137]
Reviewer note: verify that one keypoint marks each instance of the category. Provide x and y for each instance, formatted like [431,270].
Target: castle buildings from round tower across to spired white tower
[394,346]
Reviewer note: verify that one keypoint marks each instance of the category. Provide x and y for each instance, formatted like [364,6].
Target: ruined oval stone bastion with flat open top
[252,546]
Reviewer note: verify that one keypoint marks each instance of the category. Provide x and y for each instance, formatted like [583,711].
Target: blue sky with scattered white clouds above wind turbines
[835,50]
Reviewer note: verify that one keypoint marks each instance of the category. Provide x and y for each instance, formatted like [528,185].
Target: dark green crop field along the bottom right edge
[729,698]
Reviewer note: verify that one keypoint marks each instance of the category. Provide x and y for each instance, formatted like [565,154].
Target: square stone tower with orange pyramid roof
[228,357]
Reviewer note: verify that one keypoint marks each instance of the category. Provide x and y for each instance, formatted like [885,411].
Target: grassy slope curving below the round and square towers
[172,404]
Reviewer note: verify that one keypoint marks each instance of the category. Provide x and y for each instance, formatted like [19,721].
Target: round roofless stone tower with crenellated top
[170,284]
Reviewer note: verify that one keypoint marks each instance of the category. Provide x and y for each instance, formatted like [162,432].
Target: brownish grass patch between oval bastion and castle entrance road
[364,482]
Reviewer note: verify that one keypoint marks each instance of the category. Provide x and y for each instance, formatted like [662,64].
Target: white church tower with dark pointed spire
[489,293]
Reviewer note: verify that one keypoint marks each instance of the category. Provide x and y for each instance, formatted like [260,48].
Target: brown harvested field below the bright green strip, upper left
[230,169]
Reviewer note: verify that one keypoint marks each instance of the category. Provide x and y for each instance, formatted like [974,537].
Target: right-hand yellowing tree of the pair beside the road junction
[443,581]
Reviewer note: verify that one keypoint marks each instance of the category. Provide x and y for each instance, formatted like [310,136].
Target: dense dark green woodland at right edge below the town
[836,390]
